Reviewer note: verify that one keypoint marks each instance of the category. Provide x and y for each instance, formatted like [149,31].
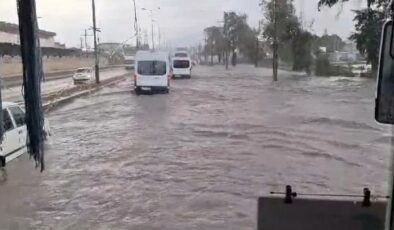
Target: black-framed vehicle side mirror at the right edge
[384,103]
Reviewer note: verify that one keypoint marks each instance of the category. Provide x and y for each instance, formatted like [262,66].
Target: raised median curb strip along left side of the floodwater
[51,105]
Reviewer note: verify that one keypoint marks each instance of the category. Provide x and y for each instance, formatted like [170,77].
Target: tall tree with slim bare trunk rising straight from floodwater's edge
[280,27]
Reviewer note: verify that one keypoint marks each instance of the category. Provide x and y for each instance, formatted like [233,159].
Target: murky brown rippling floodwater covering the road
[199,157]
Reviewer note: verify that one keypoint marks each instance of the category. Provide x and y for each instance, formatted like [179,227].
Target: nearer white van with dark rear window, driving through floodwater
[152,72]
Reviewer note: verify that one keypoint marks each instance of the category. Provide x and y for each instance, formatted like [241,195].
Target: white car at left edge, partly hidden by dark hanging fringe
[15,132]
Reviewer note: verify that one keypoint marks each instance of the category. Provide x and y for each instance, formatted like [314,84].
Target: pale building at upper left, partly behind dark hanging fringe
[9,33]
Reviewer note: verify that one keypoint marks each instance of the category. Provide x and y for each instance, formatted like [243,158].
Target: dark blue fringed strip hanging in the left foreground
[32,74]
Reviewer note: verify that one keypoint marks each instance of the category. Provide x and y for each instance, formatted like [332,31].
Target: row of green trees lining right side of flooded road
[281,34]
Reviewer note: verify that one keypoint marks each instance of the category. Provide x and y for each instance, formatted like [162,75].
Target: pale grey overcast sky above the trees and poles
[181,22]
